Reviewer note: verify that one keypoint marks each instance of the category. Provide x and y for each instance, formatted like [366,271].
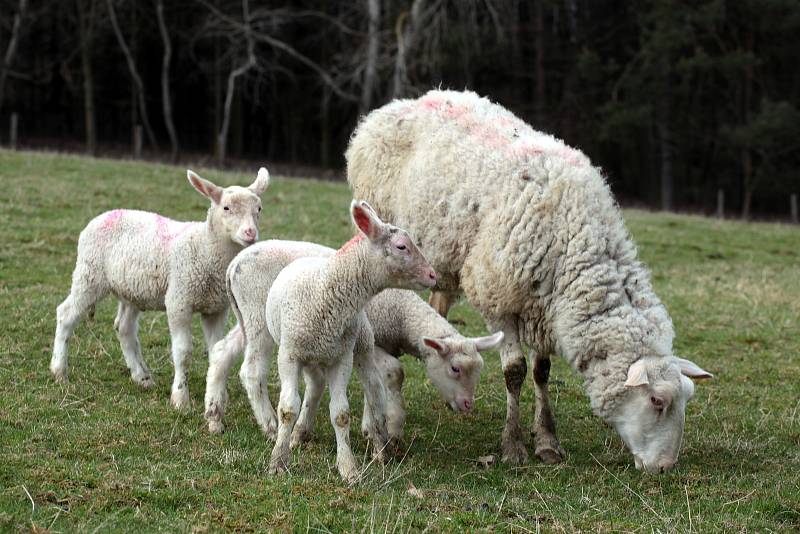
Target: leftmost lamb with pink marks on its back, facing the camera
[149,262]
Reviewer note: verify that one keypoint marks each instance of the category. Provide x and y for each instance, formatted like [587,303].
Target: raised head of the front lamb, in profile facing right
[406,266]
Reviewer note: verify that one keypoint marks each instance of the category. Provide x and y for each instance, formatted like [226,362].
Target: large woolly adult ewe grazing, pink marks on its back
[528,230]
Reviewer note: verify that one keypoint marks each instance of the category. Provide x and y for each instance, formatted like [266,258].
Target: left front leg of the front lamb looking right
[288,409]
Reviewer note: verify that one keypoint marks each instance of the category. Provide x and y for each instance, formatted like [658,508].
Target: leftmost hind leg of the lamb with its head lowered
[220,360]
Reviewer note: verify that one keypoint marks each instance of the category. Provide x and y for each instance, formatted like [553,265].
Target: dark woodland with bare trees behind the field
[676,100]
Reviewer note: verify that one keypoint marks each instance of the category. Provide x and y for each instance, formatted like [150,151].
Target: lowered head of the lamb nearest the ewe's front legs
[454,366]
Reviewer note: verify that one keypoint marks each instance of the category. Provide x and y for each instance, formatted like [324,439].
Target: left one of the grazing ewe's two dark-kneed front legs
[514,370]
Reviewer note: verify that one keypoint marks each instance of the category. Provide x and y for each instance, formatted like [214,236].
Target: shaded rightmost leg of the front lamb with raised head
[369,375]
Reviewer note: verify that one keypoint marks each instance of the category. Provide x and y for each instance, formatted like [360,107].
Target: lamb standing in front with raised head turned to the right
[315,312]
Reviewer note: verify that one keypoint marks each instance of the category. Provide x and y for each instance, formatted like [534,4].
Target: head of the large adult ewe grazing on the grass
[650,417]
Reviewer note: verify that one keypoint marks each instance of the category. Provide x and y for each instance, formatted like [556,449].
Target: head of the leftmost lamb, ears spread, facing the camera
[234,210]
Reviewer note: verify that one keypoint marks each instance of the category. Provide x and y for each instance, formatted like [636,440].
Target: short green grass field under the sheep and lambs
[100,454]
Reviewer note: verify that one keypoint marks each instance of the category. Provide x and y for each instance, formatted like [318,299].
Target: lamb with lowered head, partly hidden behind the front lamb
[402,323]
